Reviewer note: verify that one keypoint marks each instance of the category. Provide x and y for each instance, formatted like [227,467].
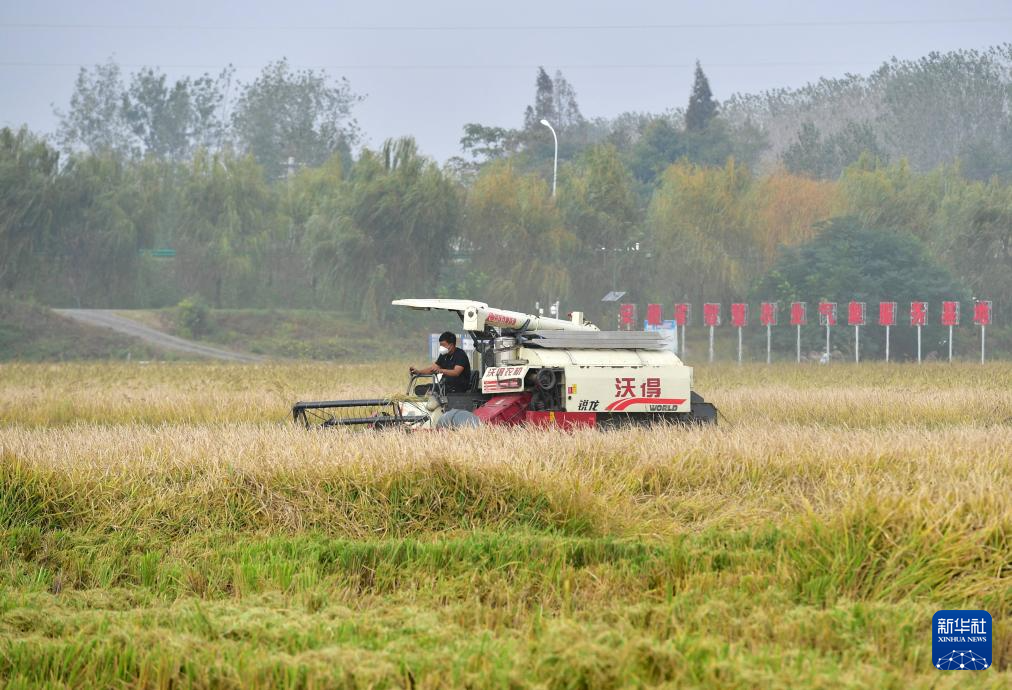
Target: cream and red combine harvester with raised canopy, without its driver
[539,372]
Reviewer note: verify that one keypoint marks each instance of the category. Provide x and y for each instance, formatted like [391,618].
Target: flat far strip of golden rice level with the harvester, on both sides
[866,396]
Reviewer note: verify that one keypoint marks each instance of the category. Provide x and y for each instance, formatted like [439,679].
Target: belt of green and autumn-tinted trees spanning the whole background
[678,207]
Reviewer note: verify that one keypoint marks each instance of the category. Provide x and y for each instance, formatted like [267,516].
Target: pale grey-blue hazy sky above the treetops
[427,69]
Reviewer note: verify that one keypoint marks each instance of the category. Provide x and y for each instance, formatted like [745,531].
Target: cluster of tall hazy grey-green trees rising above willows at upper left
[284,115]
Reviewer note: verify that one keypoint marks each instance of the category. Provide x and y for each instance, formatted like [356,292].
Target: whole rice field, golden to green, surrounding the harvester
[165,526]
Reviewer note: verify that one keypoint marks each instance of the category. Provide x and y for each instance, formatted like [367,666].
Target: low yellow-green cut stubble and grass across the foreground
[503,610]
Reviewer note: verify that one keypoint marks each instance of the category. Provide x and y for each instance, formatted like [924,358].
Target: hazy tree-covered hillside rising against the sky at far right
[932,112]
